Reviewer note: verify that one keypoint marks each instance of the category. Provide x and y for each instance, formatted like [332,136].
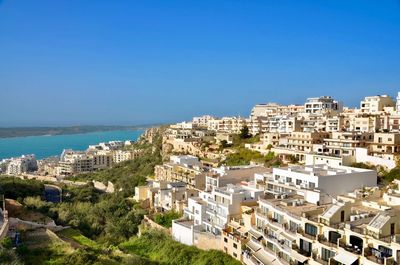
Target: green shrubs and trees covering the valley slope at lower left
[103,226]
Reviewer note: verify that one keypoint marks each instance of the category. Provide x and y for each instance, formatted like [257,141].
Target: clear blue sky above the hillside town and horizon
[133,62]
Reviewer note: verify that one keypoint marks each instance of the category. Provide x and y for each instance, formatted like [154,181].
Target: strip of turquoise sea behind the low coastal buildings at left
[45,146]
